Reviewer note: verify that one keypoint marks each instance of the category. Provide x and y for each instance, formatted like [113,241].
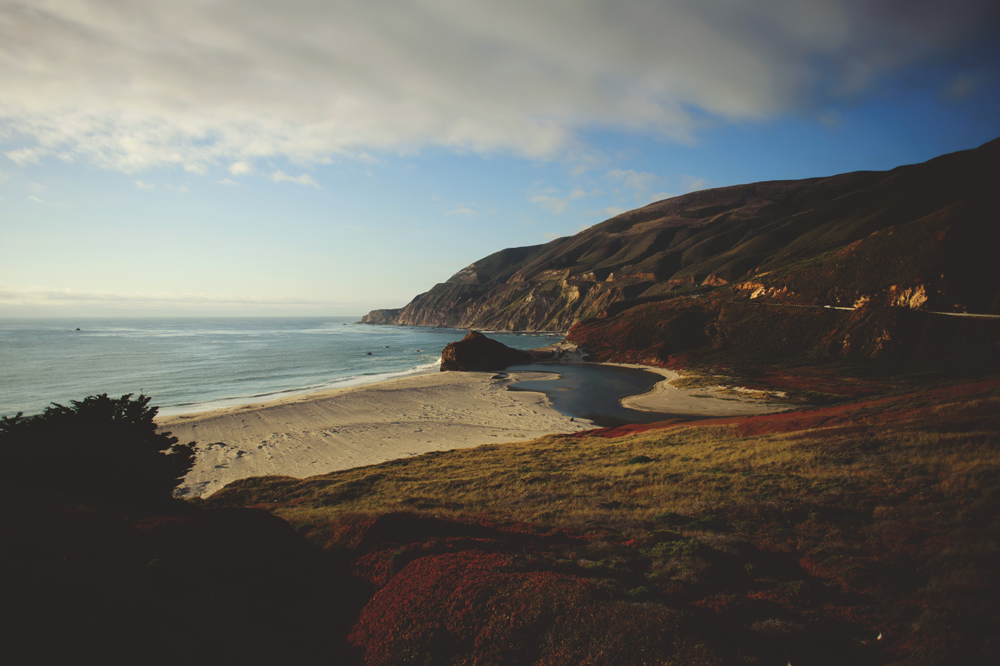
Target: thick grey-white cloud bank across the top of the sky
[188,83]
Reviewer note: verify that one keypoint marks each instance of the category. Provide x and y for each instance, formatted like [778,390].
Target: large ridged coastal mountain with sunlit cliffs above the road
[921,236]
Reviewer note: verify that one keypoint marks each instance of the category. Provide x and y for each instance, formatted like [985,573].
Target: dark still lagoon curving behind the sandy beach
[592,391]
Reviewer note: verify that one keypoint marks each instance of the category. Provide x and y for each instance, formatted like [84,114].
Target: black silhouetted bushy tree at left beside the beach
[99,446]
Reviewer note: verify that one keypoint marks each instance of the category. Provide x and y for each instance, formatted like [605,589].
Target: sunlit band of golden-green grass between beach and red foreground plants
[594,486]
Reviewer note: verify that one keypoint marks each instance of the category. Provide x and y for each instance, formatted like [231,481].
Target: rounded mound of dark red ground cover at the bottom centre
[480,607]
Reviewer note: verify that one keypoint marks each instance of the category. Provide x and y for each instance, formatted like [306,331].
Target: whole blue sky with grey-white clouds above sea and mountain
[325,157]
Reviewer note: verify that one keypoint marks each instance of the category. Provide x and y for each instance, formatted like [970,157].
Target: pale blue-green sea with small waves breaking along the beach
[190,365]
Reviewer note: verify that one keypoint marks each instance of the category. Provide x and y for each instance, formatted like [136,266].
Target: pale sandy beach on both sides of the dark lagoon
[352,427]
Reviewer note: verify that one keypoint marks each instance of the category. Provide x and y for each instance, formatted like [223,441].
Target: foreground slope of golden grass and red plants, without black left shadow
[796,537]
